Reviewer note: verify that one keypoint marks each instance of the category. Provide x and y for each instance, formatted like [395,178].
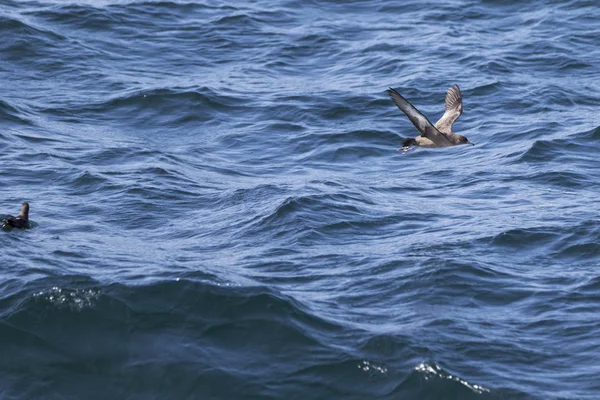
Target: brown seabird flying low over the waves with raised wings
[440,134]
